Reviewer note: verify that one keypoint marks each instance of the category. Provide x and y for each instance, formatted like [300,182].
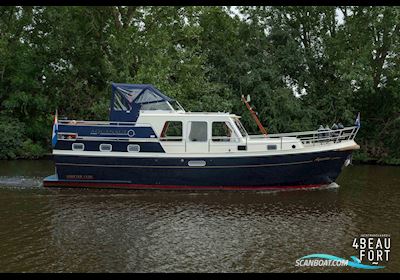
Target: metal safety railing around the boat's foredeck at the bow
[317,137]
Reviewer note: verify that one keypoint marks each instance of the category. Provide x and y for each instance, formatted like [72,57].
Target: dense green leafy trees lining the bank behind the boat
[302,66]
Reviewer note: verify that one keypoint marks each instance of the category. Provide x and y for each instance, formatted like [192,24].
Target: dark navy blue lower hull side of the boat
[283,170]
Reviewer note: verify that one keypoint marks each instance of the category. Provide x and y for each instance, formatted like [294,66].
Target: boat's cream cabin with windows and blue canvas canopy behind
[180,131]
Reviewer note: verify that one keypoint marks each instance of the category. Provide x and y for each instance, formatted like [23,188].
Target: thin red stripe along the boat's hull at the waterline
[141,186]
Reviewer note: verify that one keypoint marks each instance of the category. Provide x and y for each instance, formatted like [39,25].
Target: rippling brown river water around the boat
[82,230]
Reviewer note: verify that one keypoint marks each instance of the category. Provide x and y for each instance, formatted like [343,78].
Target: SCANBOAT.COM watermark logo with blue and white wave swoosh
[330,260]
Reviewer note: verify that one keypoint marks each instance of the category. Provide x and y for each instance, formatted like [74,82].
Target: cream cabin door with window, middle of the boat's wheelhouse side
[197,137]
